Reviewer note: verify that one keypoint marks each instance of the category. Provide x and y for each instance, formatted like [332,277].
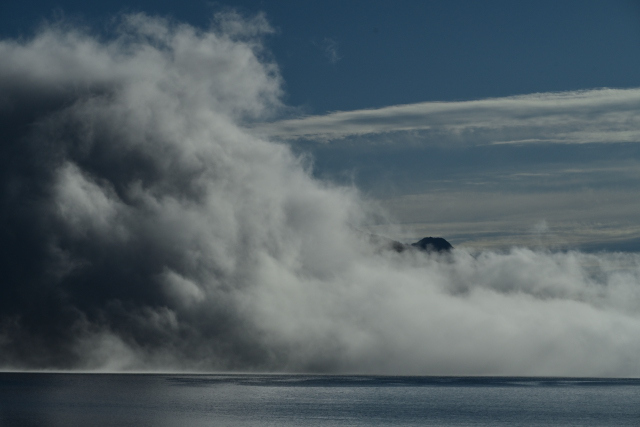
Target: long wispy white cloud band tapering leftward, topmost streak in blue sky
[577,117]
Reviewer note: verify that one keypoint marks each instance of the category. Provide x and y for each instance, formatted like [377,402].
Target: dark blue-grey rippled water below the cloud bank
[287,400]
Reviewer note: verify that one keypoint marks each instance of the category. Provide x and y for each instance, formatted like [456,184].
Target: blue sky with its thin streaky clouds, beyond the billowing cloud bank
[535,169]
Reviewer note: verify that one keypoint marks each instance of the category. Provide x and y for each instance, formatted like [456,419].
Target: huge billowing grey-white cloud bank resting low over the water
[144,228]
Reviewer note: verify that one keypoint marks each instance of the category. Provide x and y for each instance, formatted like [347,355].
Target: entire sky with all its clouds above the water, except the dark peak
[193,187]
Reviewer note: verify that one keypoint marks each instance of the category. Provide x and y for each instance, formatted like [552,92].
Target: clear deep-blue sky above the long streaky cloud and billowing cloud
[337,55]
